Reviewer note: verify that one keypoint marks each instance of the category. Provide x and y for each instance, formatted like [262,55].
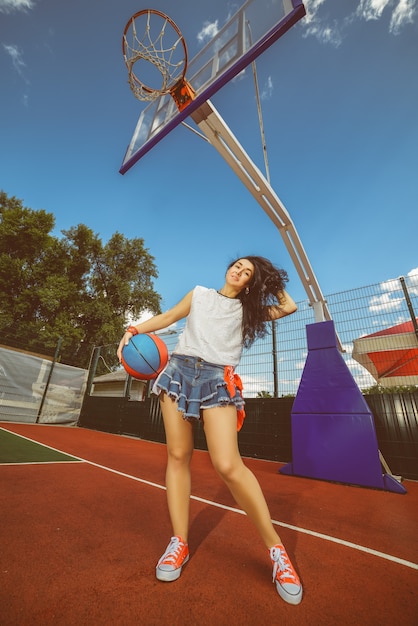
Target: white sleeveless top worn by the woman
[213,328]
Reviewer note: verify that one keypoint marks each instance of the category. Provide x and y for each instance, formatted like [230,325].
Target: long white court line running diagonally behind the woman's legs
[305,531]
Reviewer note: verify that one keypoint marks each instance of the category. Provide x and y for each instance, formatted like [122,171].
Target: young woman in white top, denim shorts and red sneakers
[199,382]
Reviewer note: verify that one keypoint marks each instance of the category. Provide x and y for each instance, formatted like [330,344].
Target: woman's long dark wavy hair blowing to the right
[266,282]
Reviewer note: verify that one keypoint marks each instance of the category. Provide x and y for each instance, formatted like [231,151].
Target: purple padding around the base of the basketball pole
[333,433]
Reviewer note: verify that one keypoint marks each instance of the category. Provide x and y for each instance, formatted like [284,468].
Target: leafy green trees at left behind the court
[74,287]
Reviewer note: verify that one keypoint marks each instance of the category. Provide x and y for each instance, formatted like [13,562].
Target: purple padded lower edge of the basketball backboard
[260,46]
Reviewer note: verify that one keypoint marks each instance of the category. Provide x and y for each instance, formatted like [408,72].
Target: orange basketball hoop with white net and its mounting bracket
[154,42]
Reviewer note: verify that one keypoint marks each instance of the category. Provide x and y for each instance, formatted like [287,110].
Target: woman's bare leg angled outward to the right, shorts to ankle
[221,436]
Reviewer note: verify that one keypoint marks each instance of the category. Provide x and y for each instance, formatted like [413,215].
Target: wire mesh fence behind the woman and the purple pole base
[273,366]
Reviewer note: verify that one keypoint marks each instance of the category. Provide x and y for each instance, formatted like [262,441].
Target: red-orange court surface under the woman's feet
[79,543]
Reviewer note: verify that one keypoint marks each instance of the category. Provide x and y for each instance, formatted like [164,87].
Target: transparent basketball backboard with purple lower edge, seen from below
[247,34]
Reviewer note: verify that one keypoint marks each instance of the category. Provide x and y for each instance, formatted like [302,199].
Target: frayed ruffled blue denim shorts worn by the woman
[195,384]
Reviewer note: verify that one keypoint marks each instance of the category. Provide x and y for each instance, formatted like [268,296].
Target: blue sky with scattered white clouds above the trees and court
[340,110]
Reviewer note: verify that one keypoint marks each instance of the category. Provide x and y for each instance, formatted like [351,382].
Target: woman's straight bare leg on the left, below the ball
[179,436]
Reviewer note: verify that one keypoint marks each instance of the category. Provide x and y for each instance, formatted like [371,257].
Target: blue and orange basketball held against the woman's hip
[145,356]
